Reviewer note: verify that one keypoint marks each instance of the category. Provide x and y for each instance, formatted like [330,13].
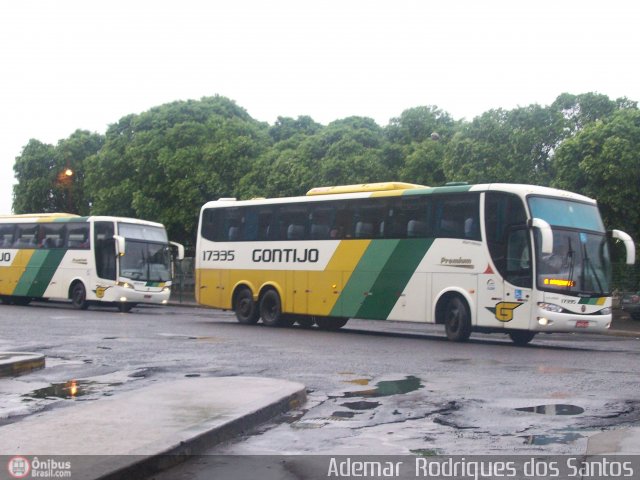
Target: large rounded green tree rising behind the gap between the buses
[165,163]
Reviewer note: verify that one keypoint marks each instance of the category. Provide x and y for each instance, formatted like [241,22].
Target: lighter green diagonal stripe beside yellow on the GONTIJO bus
[363,277]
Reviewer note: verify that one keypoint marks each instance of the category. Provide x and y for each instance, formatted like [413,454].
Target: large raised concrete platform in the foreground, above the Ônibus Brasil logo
[141,432]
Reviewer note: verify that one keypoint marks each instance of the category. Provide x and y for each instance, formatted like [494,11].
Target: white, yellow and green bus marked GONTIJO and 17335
[517,259]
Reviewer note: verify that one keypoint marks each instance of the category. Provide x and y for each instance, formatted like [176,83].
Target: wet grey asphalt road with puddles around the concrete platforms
[373,387]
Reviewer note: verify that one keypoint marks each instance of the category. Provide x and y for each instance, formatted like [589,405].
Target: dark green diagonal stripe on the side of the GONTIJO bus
[393,278]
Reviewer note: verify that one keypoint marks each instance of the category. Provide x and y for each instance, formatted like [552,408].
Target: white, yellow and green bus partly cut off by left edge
[123,261]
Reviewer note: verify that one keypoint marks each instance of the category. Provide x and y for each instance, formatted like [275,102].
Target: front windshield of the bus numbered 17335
[580,262]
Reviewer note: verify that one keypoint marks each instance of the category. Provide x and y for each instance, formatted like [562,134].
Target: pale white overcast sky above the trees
[70,64]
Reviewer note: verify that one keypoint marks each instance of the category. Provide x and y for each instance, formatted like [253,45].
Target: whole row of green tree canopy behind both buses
[163,164]
